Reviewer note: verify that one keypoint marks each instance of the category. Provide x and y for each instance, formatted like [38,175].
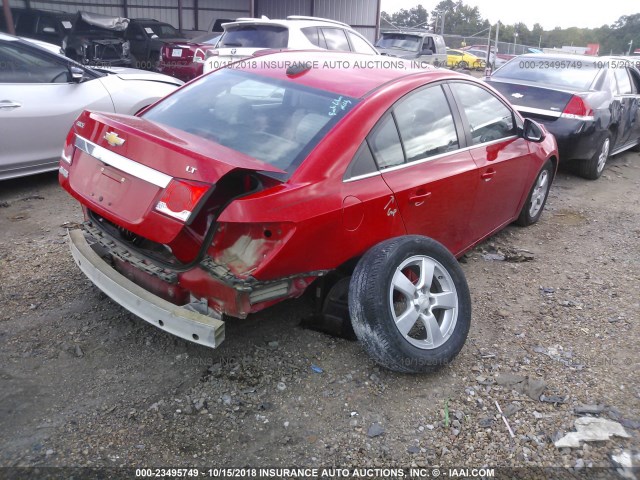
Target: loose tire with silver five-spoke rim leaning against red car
[409,304]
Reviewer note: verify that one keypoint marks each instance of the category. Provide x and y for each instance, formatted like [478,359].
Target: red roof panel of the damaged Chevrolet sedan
[371,73]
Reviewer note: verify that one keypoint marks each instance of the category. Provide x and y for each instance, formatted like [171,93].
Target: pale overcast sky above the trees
[548,13]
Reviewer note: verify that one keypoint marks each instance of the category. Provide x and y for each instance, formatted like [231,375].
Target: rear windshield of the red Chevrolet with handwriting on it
[273,121]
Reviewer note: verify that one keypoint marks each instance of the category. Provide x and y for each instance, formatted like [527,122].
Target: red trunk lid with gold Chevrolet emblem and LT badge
[122,165]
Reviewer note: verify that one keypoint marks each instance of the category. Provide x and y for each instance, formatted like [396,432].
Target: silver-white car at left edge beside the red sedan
[42,93]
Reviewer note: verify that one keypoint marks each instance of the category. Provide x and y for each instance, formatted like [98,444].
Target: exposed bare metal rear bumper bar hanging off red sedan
[179,321]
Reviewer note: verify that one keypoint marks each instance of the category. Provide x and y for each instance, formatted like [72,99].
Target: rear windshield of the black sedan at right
[575,74]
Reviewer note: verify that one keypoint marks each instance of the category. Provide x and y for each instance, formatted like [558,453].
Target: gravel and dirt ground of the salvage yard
[555,311]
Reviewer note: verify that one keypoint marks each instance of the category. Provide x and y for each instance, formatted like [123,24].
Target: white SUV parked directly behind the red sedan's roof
[244,37]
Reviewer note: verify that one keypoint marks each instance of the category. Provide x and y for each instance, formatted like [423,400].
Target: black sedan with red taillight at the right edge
[590,104]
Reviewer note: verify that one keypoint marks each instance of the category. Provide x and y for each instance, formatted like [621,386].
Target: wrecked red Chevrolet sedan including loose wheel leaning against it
[363,178]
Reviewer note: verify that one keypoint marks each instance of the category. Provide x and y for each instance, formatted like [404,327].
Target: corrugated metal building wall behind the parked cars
[363,15]
